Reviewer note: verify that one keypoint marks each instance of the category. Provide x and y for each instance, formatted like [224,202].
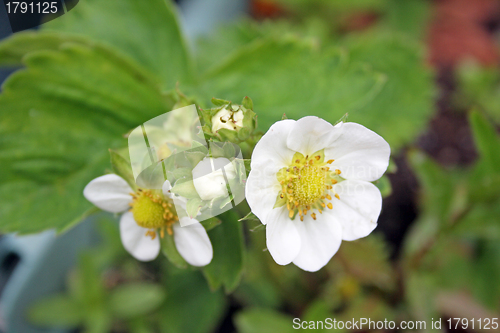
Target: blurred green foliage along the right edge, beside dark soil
[452,245]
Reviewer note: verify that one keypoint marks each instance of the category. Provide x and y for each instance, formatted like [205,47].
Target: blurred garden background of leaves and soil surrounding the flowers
[424,74]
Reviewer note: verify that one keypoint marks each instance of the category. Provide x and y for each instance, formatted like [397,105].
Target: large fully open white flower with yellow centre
[310,185]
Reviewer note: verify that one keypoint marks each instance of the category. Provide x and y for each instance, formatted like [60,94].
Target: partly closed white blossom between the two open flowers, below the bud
[209,180]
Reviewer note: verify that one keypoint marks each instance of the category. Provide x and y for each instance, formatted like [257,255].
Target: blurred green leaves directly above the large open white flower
[395,99]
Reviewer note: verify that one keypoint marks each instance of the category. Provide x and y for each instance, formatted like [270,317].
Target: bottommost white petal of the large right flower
[321,239]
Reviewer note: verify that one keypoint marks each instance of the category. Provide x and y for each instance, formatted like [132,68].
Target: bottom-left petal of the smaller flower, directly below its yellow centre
[135,241]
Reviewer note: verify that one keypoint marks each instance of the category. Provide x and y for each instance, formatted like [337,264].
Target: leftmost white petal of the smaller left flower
[109,192]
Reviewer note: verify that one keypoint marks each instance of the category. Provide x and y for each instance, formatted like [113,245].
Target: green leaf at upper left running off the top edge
[156,42]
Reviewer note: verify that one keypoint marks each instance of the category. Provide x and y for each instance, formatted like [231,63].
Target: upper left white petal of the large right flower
[272,147]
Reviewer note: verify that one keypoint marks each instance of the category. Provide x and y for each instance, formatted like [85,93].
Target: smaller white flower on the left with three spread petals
[152,212]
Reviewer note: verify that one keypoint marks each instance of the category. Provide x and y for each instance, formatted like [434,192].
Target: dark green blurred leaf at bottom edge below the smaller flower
[190,305]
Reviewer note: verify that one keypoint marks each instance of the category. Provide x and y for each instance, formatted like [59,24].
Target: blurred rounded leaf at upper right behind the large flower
[402,108]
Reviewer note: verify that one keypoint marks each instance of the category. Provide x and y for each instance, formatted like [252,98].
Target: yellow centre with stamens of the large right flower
[306,185]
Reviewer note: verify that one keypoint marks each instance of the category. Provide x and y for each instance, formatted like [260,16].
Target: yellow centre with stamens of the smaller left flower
[153,211]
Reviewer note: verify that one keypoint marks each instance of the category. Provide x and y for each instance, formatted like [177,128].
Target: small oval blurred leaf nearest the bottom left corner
[56,311]
